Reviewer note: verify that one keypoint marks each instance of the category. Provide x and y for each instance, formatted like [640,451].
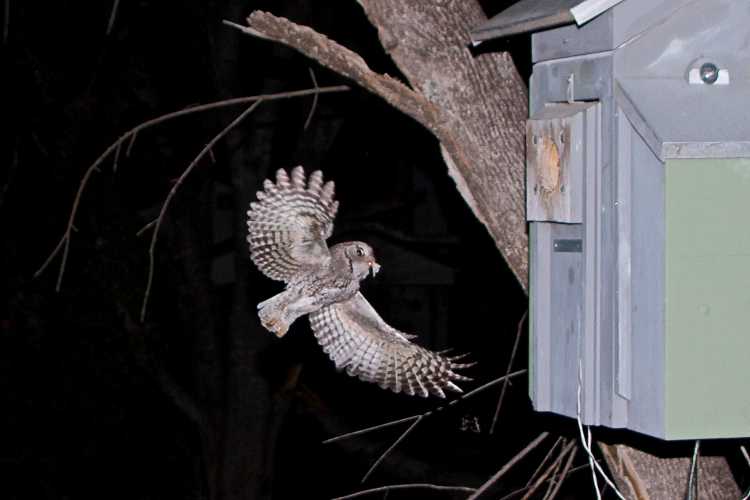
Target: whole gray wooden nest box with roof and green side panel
[638,190]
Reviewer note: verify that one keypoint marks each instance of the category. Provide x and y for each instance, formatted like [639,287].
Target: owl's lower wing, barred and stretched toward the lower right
[356,338]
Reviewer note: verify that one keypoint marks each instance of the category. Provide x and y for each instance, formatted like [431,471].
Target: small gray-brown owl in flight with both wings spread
[288,227]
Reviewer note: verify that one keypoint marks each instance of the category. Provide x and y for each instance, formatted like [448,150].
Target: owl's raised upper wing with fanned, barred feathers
[288,225]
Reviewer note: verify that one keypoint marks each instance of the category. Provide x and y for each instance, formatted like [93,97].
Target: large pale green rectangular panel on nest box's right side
[707,298]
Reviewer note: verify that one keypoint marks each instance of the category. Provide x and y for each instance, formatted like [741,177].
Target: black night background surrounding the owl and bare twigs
[198,401]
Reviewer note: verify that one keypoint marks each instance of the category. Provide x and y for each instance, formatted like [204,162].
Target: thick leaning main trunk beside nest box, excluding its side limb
[483,102]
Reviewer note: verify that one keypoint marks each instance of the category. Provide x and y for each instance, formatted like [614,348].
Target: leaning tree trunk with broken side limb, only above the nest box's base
[480,127]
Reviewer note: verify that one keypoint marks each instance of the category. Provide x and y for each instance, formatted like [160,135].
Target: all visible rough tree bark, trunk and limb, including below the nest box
[477,107]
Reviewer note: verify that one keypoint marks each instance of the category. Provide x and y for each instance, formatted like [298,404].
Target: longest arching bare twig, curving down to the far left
[130,137]
